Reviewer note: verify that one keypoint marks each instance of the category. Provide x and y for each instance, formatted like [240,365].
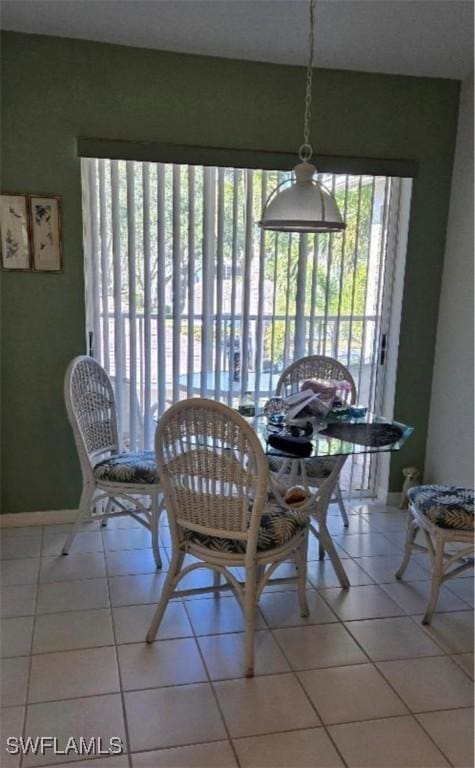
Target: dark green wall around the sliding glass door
[56,90]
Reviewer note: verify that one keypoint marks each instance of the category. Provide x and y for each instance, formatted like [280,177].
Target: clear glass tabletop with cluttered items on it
[338,437]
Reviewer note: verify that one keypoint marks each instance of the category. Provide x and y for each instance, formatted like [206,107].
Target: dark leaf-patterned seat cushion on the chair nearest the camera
[277,527]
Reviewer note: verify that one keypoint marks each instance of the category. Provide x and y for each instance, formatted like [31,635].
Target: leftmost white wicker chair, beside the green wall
[125,483]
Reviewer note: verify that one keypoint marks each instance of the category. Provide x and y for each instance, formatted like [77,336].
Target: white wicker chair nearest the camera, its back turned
[215,480]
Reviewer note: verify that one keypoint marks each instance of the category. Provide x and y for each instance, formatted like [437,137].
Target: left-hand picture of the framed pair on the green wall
[14,232]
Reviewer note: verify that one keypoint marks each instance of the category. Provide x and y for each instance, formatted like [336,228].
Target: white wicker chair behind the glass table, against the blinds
[317,367]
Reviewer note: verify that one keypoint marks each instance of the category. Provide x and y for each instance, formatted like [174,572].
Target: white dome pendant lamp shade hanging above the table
[305,206]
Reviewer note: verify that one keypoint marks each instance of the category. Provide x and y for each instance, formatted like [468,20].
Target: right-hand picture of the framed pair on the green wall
[45,218]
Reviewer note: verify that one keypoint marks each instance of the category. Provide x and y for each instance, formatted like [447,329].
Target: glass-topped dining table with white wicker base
[327,448]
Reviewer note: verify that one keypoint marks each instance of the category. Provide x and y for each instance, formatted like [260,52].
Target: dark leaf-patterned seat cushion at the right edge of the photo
[447,506]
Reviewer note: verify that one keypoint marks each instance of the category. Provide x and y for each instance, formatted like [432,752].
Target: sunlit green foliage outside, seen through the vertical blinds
[336,270]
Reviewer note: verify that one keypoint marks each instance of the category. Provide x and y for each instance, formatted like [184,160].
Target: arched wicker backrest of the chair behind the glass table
[314,367]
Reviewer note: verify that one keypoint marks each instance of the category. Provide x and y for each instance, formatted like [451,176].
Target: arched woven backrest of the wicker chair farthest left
[90,404]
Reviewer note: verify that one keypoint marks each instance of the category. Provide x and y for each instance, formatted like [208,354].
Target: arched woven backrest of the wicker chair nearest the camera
[213,471]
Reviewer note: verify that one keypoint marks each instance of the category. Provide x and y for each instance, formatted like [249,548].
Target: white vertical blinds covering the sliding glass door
[186,296]
